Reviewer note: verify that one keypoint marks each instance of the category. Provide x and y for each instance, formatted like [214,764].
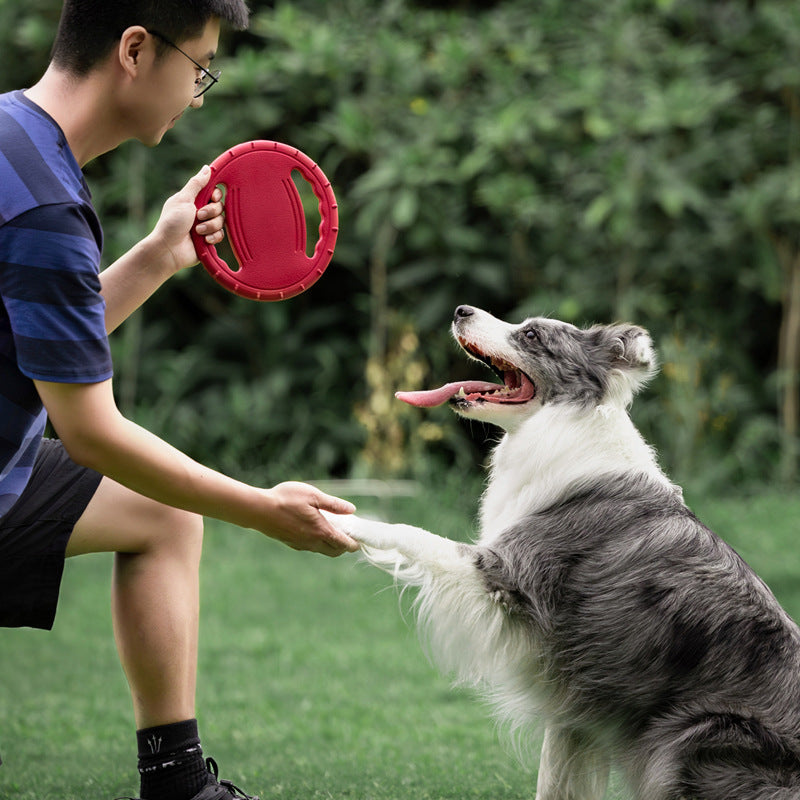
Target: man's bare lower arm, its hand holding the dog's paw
[96,435]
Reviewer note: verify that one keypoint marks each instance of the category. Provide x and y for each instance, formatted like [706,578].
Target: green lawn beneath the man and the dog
[312,684]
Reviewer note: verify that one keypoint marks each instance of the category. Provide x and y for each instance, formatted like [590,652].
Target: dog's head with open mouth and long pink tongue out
[542,361]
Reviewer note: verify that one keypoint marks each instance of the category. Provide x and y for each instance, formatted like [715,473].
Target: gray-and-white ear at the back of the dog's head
[631,359]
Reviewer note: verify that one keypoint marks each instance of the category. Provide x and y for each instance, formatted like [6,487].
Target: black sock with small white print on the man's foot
[171,764]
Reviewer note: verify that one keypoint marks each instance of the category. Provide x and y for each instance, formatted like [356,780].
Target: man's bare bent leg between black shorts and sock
[155,595]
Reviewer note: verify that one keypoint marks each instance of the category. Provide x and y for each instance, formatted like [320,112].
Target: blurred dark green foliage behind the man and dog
[596,160]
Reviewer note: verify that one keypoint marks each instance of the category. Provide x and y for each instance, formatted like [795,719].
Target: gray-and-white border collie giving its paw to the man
[594,600]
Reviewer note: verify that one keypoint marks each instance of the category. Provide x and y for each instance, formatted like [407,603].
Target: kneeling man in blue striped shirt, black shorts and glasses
[118,71]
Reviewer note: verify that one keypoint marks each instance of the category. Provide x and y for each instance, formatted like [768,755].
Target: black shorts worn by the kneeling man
[34,533]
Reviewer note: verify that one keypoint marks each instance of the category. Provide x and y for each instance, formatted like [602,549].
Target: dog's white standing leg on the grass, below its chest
[572,767]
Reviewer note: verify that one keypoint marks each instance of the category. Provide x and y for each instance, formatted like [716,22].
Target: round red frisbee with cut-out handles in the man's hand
[265,221]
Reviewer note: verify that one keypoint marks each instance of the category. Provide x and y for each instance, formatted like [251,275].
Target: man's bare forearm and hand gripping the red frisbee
[130,280]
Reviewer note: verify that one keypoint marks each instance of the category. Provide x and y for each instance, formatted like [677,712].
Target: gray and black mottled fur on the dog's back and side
[655,635]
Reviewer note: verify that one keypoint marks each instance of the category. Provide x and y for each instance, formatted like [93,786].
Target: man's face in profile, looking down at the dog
[170,84]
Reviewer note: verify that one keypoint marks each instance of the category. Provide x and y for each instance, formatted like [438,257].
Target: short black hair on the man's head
[89,29]
